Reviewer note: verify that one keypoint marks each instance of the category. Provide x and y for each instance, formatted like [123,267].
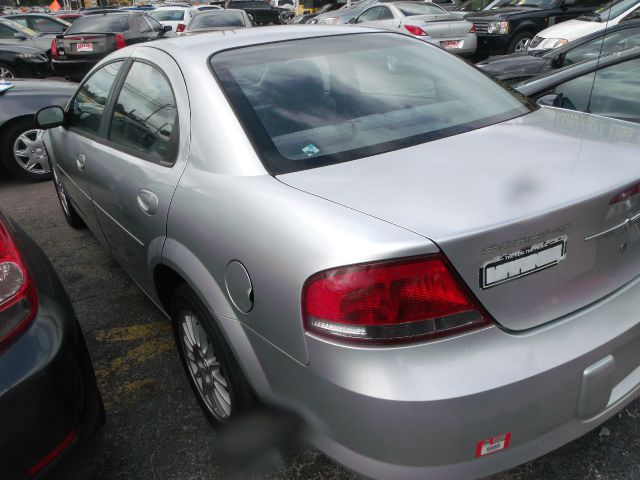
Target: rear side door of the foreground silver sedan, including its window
[138,166]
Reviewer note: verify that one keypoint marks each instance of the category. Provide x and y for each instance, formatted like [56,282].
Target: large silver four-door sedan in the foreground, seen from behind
[441,281]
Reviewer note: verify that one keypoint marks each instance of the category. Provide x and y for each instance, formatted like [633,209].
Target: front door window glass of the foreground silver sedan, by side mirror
[88,105]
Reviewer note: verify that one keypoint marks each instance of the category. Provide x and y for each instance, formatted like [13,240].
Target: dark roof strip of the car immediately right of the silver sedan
[538,84]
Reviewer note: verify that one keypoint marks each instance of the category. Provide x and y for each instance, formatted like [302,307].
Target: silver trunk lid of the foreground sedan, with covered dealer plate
[510,205]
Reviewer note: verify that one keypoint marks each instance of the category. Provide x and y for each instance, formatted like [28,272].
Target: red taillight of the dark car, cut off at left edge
[18,299]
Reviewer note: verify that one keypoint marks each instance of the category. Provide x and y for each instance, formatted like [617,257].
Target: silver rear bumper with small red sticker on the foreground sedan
[419,412]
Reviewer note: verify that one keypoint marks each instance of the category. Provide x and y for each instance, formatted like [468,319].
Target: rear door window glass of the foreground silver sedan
[145,113]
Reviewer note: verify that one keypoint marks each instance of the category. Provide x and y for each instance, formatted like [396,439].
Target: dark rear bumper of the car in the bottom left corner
[48,389]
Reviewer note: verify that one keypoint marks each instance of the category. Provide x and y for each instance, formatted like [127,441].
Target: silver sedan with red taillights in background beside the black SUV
[426,21]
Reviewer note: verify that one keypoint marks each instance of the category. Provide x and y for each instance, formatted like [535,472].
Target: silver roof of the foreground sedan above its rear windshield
[206,44]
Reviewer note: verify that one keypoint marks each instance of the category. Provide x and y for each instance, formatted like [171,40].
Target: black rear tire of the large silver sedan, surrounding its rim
[186,302]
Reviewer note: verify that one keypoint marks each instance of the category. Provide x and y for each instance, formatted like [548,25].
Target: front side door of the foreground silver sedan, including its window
[74,145]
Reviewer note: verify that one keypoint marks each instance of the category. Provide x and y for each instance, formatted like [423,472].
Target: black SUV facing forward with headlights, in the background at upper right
[510,28]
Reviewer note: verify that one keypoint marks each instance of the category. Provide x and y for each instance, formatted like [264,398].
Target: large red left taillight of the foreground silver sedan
[398,301]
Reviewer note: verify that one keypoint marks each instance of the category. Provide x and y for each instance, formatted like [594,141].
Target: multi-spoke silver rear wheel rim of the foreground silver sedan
[204,367]
